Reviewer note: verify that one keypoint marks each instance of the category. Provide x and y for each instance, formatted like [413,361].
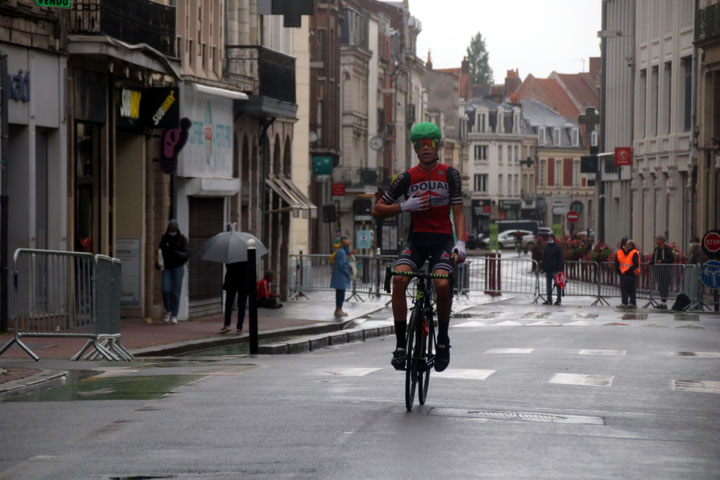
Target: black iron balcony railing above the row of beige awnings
[268,72]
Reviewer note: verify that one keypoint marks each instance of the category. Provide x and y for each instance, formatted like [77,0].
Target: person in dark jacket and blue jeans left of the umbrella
[174,255]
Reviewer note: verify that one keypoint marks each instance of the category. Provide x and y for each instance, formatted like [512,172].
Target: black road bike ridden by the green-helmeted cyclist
[420,344]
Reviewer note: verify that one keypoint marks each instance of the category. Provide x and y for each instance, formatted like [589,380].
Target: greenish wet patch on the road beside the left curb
[113,388]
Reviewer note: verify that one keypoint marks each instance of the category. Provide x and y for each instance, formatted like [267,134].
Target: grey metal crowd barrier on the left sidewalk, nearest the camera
[67,295]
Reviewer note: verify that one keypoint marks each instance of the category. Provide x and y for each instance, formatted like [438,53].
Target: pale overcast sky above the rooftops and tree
[535,36]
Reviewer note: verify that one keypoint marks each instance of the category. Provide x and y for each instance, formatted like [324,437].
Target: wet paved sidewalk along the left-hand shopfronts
[298,317]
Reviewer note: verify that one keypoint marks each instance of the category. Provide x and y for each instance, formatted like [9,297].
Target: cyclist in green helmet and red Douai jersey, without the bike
[430,191]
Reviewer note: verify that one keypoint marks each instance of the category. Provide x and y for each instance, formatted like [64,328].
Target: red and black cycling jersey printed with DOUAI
[442,184]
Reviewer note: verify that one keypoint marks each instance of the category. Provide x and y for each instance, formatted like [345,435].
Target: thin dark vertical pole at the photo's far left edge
[4,199]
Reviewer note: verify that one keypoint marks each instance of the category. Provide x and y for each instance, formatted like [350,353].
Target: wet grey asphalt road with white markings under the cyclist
[531,392]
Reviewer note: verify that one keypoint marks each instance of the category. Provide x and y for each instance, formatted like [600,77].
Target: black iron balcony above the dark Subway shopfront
[131,21]
